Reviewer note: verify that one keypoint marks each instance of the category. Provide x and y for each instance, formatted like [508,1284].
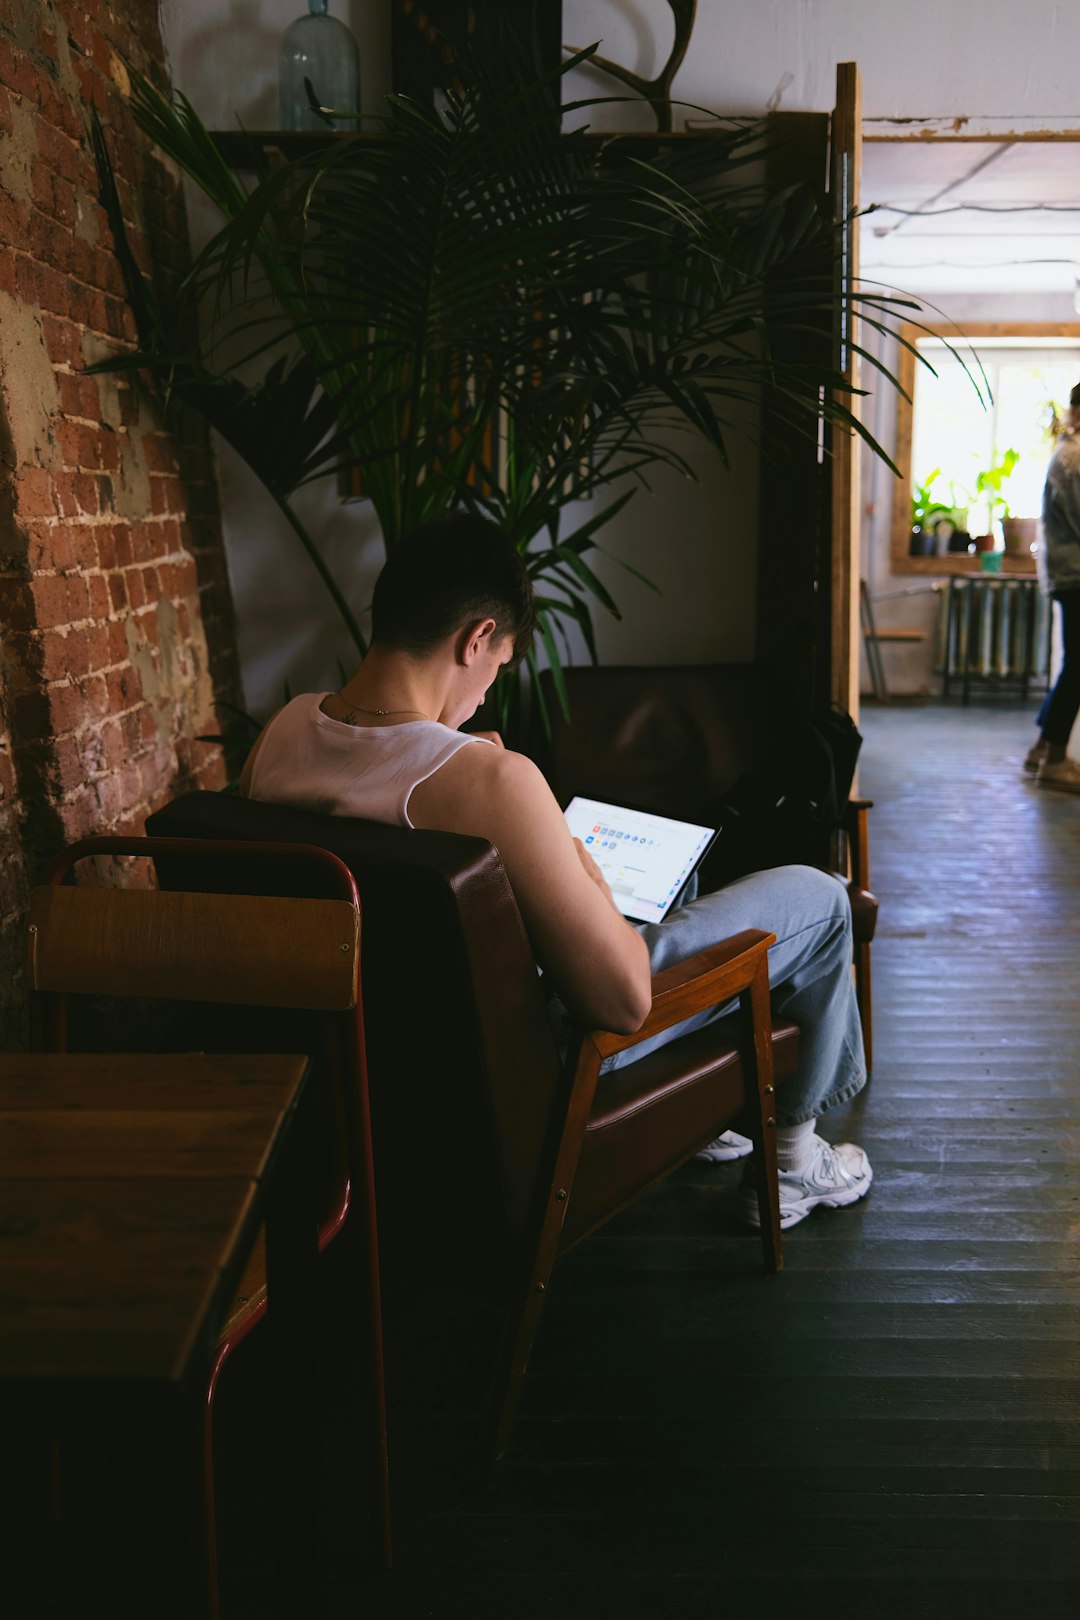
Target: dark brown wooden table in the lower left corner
[132,1192]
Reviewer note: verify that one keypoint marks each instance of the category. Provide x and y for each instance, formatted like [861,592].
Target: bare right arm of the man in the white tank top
[597,960]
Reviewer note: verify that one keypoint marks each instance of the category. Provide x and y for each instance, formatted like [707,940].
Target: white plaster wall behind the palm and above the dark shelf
[929,61]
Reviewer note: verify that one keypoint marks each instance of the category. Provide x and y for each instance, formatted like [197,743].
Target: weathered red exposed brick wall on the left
[116,618]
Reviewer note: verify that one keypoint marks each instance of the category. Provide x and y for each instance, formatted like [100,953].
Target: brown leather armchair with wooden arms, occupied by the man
[532,1154]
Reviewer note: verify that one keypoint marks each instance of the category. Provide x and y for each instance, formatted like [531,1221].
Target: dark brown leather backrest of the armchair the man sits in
[467,1078]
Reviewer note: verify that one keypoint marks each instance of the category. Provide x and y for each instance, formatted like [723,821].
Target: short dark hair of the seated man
[448,574]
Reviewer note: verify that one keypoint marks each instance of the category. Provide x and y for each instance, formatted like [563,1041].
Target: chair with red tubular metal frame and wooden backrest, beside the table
[255,974]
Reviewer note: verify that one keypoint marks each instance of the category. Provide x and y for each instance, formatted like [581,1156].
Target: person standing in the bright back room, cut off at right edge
[1060,566]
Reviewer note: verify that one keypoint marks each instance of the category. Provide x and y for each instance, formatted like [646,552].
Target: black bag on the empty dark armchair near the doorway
[784,812]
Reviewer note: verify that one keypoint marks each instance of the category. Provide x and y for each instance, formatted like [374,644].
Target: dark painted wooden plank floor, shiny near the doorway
[893,1425]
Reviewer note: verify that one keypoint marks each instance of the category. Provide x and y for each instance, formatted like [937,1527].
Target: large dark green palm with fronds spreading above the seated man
[474,309]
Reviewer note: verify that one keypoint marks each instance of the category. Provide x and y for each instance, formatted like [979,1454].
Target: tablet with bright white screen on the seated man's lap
[647,859]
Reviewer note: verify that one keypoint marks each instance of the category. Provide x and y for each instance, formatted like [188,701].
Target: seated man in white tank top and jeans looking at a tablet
[453,608]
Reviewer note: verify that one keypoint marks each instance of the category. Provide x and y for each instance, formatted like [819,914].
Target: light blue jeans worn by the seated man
[810,974]
